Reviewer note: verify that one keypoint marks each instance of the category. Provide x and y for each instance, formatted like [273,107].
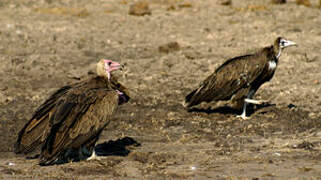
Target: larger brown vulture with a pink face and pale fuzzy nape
[68,124]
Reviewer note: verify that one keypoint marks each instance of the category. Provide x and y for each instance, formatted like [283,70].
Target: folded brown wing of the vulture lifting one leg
[233,75]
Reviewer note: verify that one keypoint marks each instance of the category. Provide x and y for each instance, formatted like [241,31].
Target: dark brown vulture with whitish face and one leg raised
[239,78]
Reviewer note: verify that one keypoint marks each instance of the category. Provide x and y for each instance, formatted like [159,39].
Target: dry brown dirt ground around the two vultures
[45,44]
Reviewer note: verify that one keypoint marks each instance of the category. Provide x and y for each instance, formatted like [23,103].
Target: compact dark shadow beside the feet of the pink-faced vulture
[116,148]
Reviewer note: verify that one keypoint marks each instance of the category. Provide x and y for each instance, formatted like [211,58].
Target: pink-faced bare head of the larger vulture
[106,66]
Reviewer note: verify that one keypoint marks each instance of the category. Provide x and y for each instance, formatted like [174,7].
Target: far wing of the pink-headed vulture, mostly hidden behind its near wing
[33,134]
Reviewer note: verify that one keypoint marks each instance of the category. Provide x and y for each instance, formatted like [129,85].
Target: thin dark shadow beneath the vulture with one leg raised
[229,110]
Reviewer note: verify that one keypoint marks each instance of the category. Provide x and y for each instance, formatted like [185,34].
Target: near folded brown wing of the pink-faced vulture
[78,118]
